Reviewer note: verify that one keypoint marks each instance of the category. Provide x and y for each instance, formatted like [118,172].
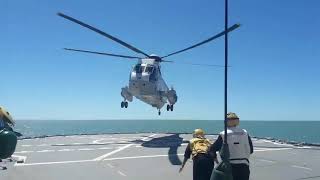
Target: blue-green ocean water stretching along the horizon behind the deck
[298,131]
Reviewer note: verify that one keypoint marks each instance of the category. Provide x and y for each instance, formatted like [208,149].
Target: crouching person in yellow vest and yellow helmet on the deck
[203,162]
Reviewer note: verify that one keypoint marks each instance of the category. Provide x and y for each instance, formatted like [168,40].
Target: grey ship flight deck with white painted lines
[144,156]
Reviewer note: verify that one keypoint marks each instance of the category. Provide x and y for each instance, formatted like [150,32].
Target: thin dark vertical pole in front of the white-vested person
[226,72]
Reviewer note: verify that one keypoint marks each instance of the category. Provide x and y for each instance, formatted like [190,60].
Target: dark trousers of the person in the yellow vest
[203,165]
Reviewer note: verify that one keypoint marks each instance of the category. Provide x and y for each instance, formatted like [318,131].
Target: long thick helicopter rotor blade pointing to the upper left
[103,34]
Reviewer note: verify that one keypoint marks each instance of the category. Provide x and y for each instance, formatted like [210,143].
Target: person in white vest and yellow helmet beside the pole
[240,147]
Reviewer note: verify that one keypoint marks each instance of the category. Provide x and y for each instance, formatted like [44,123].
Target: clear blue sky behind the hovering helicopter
[275,58]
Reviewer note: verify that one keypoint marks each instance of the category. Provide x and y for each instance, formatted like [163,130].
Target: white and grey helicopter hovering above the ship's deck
[145,82]
